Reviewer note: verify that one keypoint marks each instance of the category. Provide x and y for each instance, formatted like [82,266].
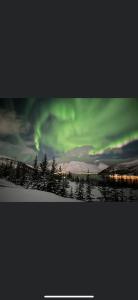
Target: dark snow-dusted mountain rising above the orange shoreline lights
[127,168]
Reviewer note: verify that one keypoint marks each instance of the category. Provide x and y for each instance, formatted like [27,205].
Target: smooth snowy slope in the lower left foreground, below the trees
[10,192]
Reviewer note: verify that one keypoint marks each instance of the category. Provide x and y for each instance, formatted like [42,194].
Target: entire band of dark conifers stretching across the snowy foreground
[52,179]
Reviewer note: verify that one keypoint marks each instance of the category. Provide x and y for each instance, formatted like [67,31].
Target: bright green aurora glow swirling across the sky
[64,124]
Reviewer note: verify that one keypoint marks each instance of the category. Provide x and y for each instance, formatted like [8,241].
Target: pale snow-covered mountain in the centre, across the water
[78,167]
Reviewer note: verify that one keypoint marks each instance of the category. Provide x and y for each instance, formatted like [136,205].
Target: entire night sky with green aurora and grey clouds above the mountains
[73,128]
